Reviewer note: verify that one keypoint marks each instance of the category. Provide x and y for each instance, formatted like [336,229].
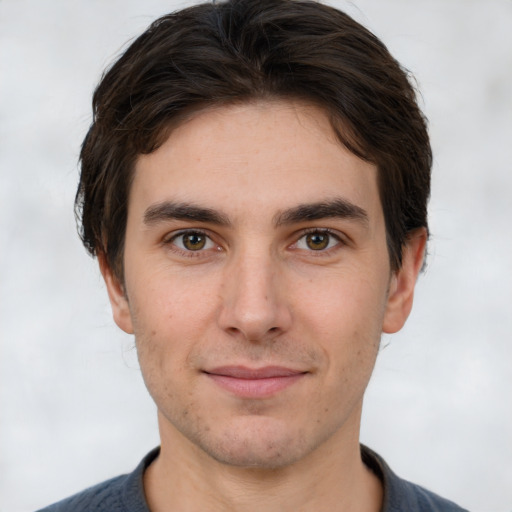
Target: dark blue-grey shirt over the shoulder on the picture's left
[123,493]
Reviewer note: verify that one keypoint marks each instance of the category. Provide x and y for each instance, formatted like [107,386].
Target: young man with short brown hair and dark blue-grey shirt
[255,185]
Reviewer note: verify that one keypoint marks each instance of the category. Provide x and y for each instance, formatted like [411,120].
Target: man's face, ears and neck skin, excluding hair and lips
[255,284]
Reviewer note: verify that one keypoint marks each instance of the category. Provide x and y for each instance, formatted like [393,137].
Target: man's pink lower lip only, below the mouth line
[255,388]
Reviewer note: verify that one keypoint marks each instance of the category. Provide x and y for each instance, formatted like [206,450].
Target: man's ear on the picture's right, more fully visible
[403,281]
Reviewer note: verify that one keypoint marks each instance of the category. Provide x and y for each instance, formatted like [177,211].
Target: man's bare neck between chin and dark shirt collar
[333,478]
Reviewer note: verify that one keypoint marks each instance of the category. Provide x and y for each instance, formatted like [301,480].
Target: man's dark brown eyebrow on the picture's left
[168,210]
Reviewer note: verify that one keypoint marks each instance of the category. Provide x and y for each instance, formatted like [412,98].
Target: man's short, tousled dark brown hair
[240,50]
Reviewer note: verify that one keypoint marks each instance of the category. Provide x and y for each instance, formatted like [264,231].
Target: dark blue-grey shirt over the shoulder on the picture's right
[401,495]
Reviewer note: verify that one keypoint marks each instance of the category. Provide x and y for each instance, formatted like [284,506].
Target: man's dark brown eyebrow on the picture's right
[335,208]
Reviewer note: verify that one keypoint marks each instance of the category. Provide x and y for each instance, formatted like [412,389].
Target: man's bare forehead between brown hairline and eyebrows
[266,155]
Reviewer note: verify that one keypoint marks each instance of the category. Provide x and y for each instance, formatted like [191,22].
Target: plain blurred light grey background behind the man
[73,406]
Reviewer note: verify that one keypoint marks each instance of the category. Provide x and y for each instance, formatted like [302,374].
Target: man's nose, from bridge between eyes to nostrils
[254,300]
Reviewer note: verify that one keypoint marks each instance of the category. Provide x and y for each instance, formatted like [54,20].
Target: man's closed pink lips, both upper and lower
[254,382]
